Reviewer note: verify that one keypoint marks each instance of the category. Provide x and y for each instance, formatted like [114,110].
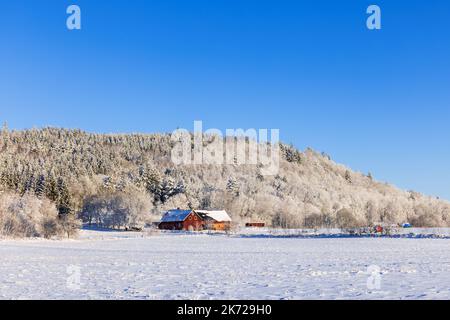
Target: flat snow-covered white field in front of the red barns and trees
[115,265]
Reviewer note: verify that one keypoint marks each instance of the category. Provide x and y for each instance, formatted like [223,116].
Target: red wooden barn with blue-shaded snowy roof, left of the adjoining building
[187,220]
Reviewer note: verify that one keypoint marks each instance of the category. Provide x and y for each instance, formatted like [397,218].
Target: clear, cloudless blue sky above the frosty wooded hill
[377,101]
